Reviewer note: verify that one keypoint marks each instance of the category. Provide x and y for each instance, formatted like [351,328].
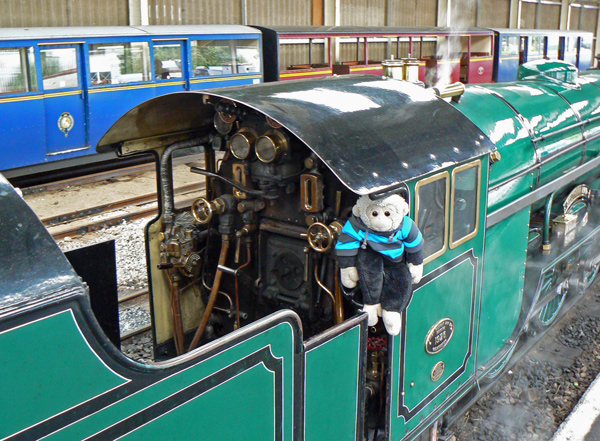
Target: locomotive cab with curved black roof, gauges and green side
[284,164]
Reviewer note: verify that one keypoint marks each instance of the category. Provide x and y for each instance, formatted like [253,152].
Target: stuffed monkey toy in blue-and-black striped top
[380,247]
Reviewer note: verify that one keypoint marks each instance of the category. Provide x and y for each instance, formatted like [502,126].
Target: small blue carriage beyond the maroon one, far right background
[513,47]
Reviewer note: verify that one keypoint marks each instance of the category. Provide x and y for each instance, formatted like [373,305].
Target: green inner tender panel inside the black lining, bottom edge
[241,409]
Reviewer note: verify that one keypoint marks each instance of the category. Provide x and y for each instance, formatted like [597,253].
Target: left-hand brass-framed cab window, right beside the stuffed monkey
[432,212]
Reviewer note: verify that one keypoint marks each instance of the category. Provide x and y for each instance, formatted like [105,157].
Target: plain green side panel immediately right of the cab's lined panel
[502,288]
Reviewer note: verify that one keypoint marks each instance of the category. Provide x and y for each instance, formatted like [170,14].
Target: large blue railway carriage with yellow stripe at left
[62,88]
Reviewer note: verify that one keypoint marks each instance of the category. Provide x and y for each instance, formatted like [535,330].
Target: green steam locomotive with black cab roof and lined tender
[255,336]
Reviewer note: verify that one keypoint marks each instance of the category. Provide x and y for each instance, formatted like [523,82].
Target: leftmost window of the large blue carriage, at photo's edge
[17,70]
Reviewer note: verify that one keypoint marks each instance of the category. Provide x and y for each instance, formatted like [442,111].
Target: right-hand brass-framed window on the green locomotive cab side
[465,203]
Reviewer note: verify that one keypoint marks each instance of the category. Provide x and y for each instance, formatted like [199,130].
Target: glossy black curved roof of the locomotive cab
[373,133]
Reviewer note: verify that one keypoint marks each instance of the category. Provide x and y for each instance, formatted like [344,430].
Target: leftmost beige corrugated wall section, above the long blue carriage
[24,13]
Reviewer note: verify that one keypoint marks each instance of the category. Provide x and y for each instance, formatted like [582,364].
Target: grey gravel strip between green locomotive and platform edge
[542,382]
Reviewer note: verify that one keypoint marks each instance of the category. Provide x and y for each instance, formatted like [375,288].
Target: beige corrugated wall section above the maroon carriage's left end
[279,12]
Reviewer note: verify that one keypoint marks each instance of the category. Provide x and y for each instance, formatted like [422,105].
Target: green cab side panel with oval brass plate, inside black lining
[452,295]
